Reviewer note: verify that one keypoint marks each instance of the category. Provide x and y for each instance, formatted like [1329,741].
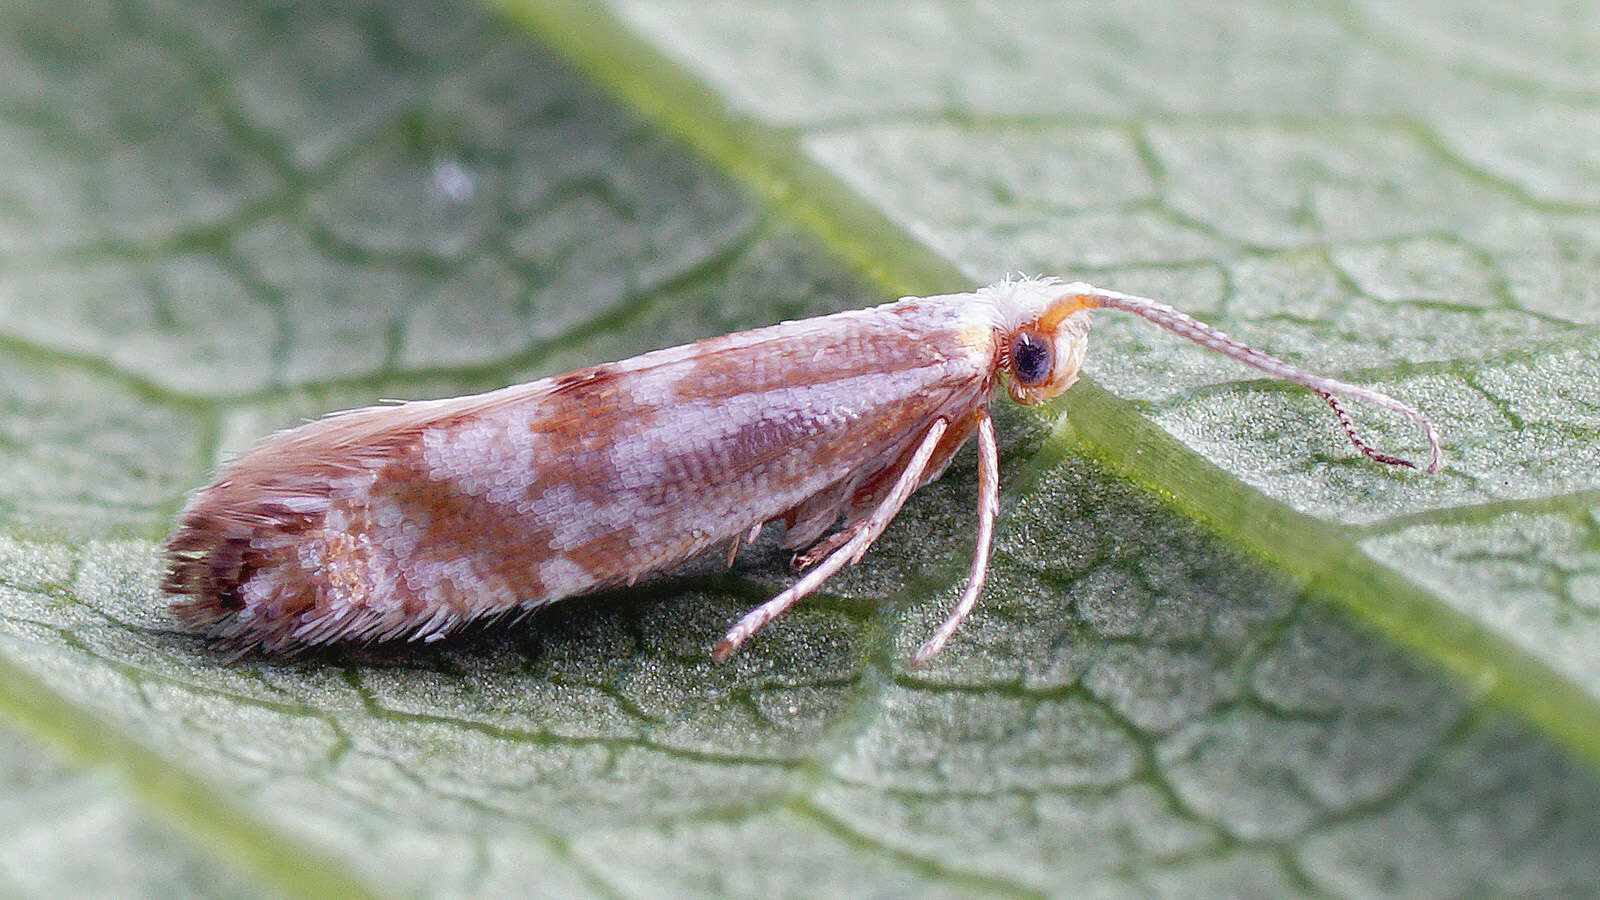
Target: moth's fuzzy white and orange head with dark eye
[1044,335]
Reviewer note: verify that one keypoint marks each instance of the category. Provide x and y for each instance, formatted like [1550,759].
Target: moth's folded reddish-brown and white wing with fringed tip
[410,520]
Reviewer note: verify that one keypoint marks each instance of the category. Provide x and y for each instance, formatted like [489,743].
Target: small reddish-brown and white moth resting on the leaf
[407,521]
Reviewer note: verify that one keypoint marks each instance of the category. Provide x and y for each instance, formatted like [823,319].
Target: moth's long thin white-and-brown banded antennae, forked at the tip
[1209,337]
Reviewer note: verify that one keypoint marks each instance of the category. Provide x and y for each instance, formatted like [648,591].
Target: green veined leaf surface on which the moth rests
[223,220]
